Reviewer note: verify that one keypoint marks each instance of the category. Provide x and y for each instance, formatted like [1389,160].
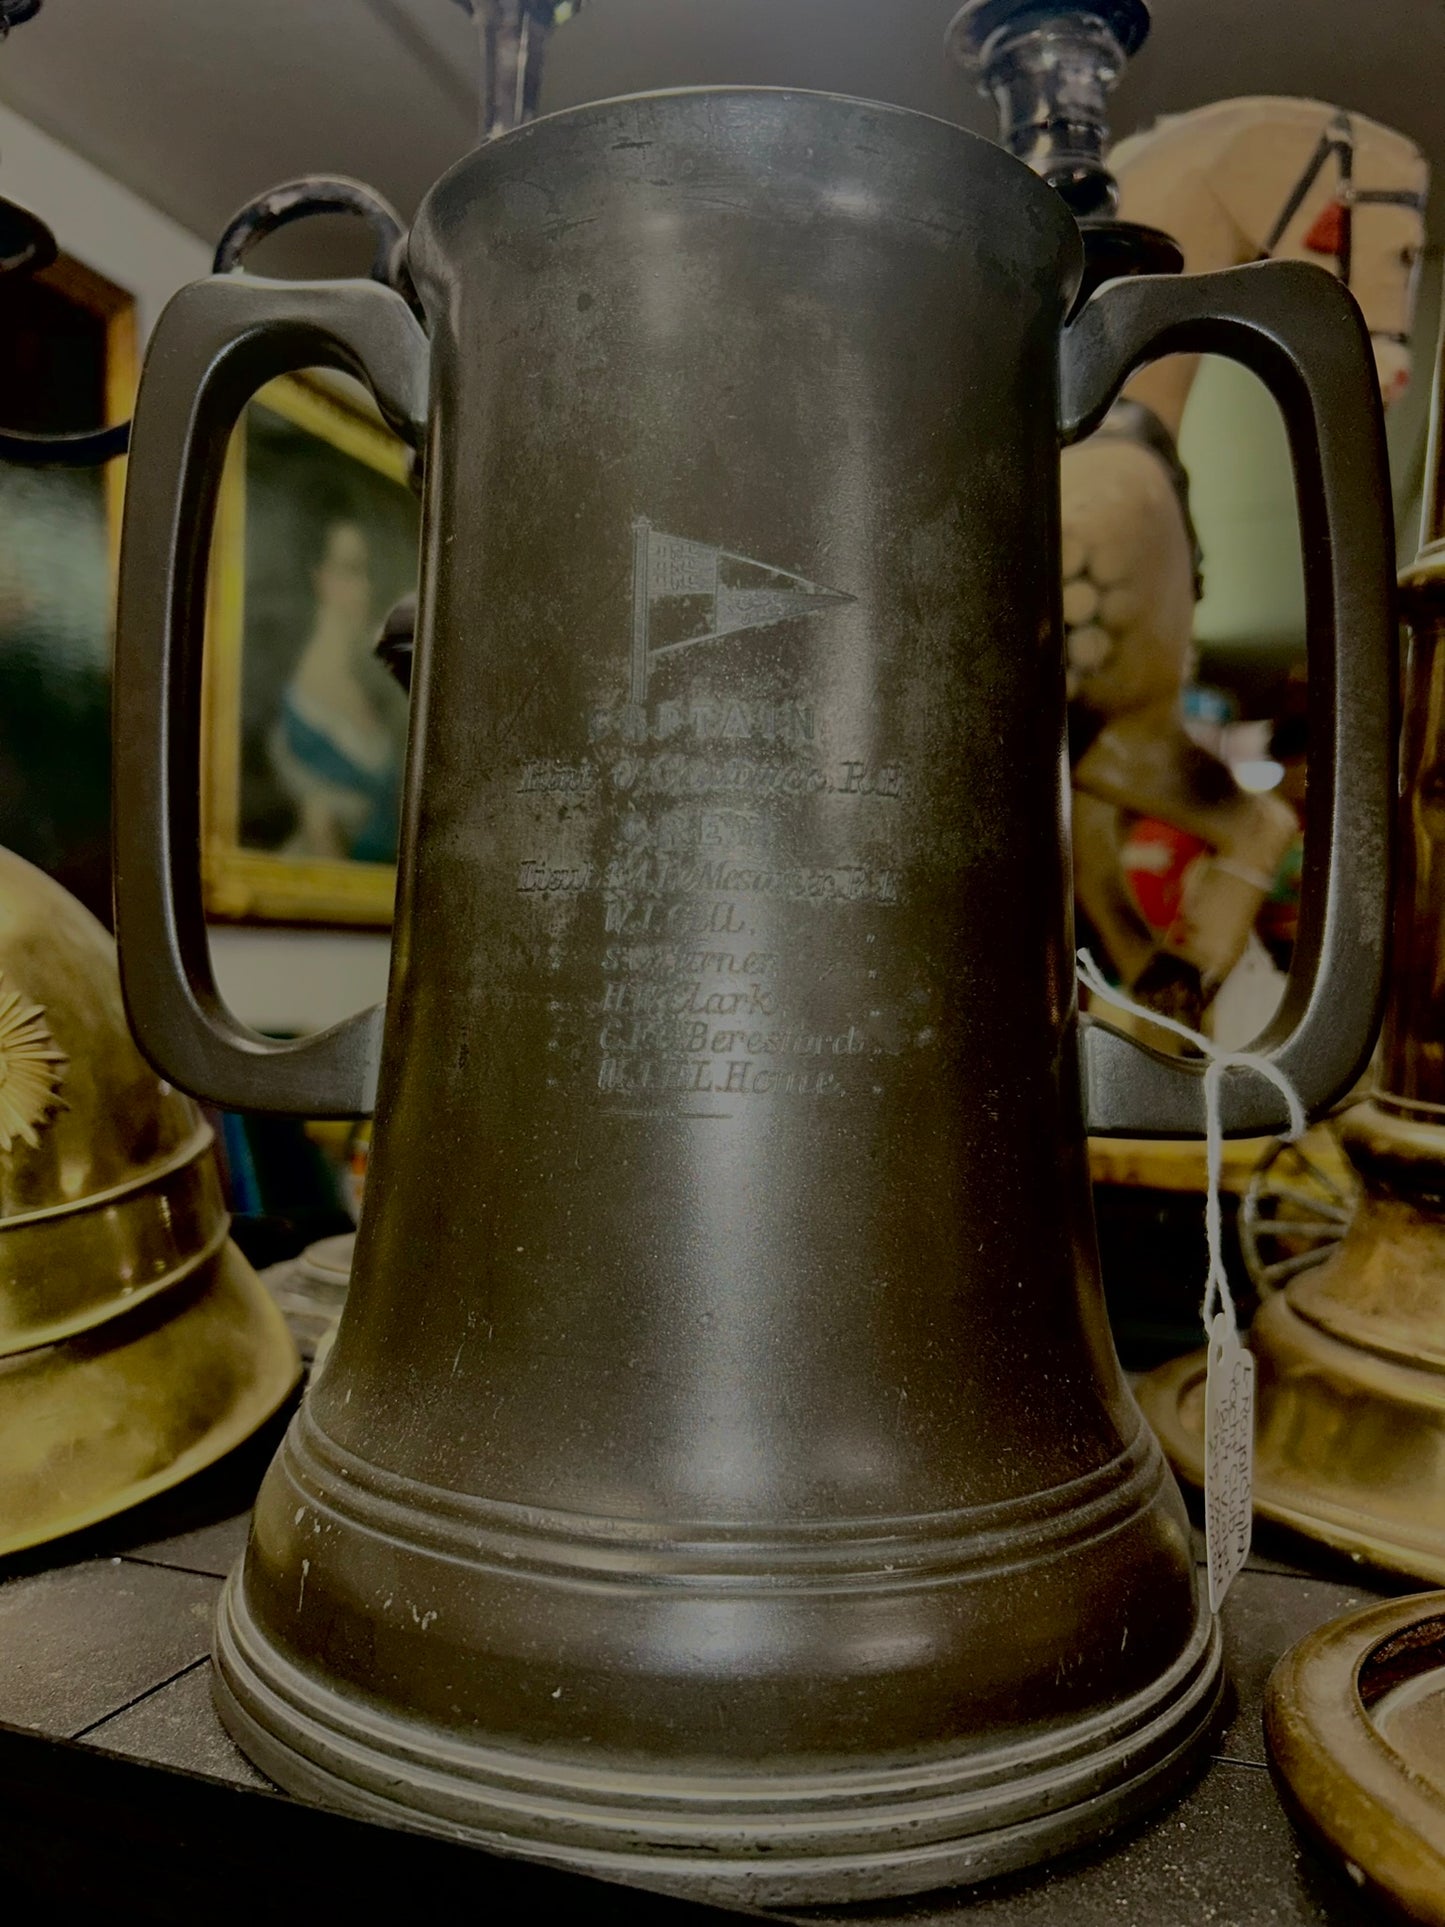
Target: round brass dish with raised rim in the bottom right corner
[1355,1720]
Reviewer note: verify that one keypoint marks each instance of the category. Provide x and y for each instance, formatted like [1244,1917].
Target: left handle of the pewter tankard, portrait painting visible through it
[213,348]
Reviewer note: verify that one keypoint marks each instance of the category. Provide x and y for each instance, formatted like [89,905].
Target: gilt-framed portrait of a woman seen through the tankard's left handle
[305,731]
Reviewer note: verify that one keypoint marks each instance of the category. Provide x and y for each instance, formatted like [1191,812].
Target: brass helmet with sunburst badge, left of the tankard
[136,1342]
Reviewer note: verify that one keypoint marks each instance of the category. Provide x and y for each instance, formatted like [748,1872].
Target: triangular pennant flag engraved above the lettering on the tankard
[689,593]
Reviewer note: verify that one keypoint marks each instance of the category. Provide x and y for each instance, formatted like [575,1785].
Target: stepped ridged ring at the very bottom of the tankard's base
[756,1841]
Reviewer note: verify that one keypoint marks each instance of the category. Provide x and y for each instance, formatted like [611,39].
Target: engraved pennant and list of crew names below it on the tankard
[696,878]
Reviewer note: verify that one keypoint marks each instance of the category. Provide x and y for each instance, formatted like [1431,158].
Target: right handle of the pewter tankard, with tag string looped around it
[1301,332]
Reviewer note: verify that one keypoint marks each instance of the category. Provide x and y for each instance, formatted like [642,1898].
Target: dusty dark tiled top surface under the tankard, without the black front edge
[105,1641]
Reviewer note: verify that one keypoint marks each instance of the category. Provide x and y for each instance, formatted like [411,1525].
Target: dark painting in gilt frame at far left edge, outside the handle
[68,361]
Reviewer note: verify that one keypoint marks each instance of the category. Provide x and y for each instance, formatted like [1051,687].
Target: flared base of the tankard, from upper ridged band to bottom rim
[918,1660]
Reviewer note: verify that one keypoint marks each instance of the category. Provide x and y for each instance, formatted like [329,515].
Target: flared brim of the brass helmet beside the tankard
[117,1415]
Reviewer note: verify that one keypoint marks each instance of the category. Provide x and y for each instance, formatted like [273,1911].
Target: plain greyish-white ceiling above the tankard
[197,105]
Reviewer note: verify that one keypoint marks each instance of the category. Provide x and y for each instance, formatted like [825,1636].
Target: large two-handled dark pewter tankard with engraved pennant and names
[723,1477]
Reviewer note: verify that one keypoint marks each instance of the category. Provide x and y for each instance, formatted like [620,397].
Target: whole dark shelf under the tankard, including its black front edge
[120,1791]
